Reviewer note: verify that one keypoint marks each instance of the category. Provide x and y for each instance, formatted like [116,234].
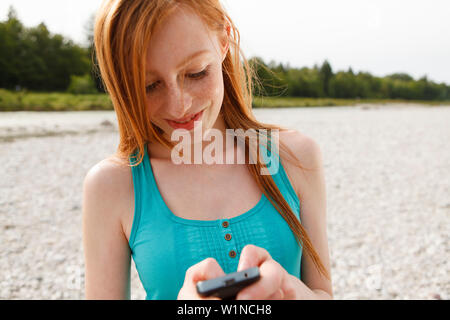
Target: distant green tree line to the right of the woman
[322,82]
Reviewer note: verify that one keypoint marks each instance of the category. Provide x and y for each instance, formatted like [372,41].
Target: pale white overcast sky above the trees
[381,37]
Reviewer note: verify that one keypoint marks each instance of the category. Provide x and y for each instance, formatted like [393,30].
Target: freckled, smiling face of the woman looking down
[184,74]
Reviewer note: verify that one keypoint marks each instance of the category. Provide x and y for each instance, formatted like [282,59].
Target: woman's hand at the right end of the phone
[275,282]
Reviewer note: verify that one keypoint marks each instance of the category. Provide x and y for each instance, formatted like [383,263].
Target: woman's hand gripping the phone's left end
[204,270]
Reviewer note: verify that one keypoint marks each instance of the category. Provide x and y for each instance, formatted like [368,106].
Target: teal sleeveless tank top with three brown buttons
[164,246]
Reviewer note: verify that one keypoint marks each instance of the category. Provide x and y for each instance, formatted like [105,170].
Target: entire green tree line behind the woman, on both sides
[36,60]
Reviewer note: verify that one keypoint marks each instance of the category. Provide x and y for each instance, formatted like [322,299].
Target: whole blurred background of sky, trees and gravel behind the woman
[369,81]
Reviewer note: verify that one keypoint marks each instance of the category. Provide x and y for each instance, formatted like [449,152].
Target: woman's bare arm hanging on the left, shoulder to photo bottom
[106,250]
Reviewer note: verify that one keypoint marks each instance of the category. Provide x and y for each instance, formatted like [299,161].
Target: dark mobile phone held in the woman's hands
[227,287]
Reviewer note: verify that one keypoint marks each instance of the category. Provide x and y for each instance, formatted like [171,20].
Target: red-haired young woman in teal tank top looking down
[165,62]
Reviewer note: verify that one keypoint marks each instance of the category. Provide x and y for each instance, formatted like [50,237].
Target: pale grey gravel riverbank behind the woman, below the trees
[388,198]
